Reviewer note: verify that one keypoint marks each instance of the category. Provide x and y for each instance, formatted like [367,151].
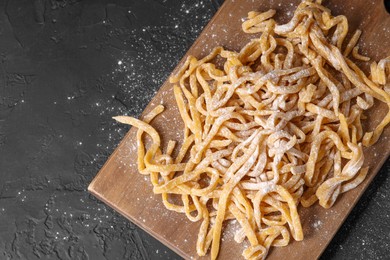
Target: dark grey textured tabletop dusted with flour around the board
[66,68]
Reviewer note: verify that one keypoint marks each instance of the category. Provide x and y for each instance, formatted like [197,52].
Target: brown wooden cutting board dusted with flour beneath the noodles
[120,185]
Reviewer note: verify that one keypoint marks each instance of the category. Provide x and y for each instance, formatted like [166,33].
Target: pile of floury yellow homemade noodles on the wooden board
[276,125]
